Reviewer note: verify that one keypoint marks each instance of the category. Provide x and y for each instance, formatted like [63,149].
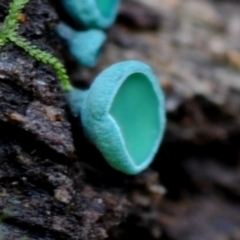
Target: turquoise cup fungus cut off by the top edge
[92,13]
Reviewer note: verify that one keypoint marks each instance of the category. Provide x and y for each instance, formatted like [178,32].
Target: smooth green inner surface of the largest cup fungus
[135,109]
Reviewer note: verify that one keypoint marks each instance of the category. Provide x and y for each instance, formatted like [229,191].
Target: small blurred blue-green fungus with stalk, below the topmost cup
[84,46]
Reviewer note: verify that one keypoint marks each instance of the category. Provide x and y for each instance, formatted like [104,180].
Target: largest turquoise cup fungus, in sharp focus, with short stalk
[123,114]
